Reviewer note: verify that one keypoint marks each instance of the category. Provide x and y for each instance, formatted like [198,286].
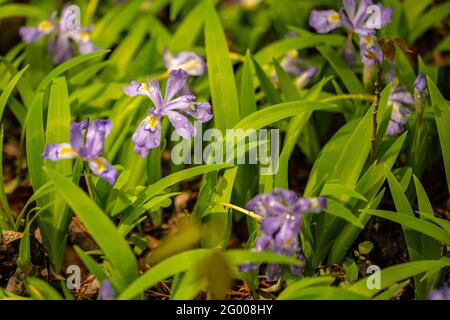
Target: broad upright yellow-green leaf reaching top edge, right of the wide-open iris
[220,72]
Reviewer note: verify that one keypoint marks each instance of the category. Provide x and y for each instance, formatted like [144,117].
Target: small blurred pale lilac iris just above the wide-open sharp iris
[189,61]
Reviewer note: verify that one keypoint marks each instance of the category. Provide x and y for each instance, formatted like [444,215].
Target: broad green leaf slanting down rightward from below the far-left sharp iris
[102,230]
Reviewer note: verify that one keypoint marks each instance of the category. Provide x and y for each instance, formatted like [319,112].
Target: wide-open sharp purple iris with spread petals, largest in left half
[148,133]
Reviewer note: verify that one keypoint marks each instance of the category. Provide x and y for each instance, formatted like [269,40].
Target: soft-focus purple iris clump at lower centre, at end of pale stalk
[282,212]
